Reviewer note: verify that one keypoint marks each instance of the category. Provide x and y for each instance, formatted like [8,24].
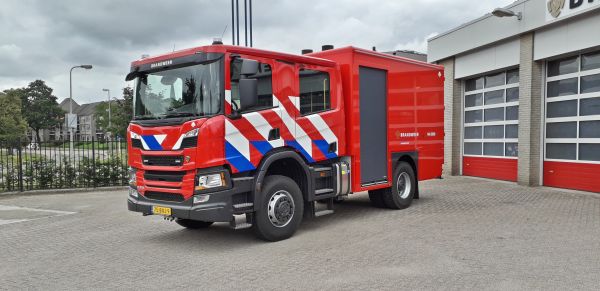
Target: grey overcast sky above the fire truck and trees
[42,39]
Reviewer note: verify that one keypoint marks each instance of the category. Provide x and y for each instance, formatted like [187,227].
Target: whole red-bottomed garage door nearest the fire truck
[491,126]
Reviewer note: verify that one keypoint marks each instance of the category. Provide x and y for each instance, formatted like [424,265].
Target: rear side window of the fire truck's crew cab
[314,92]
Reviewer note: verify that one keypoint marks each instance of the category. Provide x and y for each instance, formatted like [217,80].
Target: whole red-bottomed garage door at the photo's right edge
[572,124]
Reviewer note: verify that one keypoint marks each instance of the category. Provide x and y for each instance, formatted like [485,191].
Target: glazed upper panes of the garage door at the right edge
[573,109]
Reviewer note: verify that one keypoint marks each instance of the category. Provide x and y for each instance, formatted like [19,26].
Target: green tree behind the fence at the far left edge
[12,124]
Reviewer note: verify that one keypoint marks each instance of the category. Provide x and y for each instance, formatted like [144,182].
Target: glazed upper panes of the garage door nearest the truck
[491,110]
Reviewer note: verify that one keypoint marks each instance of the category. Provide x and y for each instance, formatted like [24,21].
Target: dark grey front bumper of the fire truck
[218,208]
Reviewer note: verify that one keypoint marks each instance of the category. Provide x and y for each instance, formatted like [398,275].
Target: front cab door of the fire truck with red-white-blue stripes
[249,138]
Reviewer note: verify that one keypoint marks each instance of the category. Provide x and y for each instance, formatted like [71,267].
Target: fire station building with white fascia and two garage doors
[523,94]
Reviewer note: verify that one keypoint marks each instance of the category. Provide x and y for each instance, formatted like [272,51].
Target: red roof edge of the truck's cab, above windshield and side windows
[240,50]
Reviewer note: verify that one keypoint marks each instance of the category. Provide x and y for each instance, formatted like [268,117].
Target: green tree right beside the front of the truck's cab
[121,113]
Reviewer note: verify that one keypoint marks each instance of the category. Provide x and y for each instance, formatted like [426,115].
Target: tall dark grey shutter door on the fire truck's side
[373,125]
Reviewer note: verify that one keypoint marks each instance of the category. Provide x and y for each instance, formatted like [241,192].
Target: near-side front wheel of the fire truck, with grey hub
[278,193]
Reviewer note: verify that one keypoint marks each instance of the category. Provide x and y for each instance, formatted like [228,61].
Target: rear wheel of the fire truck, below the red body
[399,197]
